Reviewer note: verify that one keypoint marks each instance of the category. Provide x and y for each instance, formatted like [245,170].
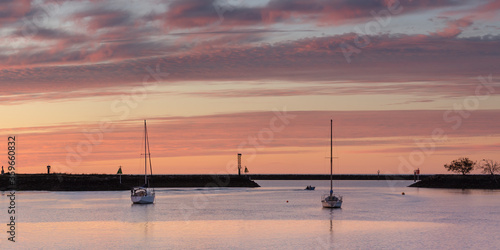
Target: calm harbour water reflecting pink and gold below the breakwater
[280,215]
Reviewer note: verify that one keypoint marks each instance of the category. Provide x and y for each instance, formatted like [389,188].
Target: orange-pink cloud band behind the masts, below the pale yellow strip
[219,134]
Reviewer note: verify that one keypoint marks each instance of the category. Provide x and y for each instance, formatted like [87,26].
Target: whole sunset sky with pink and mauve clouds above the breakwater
[409,84]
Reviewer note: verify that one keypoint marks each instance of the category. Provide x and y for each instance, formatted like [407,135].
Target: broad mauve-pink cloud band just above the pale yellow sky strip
[407,58]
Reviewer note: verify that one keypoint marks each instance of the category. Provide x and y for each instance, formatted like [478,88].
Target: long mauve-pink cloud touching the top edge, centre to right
[200,13]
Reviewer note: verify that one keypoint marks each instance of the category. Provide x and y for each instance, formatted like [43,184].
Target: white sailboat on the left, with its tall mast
[144,194]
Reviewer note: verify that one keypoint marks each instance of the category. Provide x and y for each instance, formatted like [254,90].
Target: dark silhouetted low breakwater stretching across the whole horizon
[104,182]
